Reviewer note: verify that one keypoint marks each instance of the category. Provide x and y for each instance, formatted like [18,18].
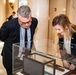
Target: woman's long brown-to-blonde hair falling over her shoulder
[64,21]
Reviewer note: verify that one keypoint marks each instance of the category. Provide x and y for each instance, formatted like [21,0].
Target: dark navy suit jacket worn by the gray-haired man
[10,33]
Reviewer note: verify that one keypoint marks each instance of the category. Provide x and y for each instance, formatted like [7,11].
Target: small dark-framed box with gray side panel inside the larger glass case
[36,64]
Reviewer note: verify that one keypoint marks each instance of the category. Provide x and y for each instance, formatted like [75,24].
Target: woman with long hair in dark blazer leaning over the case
[67,40]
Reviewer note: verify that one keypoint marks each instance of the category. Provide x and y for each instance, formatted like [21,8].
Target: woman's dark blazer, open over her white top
[73,43]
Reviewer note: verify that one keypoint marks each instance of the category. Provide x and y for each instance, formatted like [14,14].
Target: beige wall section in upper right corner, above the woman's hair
[71,10]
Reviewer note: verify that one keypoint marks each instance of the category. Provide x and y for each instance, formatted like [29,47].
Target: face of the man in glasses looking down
[25,22]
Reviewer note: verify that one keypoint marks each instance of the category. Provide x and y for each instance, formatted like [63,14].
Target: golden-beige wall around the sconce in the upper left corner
[5,10]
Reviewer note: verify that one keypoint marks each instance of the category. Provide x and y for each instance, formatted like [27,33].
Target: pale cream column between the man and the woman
[40,10]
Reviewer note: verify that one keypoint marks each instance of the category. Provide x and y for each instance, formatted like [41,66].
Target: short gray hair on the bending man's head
[24,11]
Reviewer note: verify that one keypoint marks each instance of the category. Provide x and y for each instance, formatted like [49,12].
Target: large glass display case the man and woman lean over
[39,58]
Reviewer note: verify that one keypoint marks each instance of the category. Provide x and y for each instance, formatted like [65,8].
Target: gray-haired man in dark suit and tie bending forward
[11,32]
